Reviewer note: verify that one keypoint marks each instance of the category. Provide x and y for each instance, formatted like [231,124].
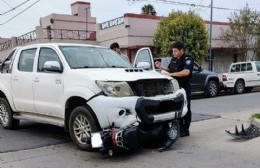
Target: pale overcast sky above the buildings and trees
[18,17]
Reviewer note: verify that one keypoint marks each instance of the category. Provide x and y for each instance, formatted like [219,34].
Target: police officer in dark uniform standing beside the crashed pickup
[181,67]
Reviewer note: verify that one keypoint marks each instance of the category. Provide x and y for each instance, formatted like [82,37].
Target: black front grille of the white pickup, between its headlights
[152,87]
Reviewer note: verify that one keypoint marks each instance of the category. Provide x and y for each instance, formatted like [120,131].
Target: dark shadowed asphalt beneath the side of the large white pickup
[31,135]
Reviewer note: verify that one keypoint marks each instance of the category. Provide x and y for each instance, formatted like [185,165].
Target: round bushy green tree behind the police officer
[186,27]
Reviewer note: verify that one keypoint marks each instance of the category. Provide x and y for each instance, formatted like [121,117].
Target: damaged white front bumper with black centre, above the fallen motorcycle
[124,111]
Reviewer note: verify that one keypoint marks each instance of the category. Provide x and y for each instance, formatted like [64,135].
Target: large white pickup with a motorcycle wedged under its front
[102,100]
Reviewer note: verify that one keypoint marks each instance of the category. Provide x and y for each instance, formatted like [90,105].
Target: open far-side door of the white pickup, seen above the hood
[144,59]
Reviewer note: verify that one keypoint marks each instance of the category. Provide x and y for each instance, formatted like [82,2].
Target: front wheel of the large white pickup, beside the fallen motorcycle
[81,121]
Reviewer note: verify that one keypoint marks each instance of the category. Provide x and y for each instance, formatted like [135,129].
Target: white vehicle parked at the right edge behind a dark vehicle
[241,77]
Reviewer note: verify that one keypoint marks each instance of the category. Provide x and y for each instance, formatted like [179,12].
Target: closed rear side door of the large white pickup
[22,81]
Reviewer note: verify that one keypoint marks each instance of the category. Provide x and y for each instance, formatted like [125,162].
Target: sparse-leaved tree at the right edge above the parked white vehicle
[243,34]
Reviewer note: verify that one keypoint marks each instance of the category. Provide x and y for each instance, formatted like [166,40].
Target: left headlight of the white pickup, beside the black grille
[115,89]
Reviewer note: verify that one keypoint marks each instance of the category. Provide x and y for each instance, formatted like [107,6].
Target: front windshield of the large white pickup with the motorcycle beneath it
[93,57]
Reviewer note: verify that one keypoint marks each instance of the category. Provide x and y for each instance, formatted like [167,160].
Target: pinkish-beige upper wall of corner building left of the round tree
[134,31]
